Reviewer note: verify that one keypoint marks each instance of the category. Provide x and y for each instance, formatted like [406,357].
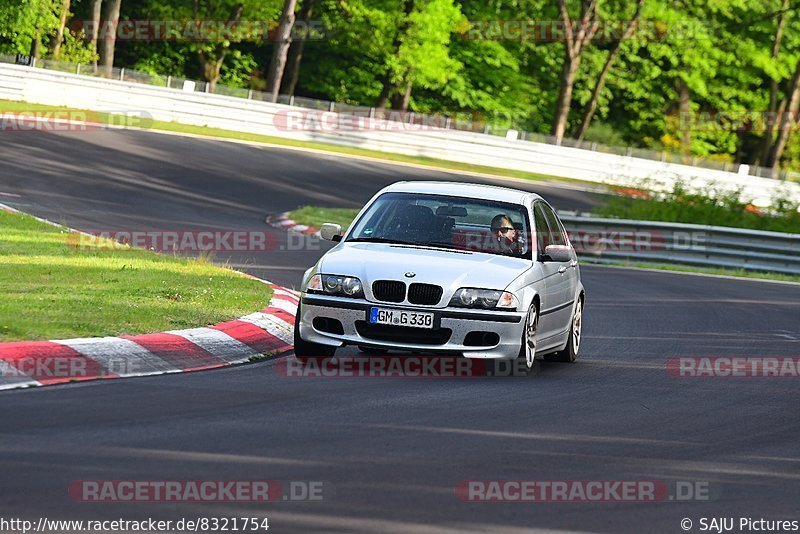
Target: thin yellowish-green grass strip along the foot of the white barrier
[120,120]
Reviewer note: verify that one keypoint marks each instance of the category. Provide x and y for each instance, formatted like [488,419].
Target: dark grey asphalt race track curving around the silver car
[390,452]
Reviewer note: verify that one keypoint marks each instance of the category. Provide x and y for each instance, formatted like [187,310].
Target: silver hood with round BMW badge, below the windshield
[447,268]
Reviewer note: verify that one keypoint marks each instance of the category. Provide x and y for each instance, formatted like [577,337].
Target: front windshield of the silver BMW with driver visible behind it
[447,222]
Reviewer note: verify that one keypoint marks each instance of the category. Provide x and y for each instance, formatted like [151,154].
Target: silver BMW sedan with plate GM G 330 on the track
[447,268]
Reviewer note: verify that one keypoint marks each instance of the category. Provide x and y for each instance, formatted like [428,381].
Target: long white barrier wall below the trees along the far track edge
[40,86]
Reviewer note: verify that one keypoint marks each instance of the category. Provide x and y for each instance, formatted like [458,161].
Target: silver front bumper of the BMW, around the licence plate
[353,313]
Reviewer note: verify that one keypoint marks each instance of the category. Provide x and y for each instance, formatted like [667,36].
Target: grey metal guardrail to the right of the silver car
[628,241]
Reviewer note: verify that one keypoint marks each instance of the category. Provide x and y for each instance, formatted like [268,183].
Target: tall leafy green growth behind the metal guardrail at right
[711,207]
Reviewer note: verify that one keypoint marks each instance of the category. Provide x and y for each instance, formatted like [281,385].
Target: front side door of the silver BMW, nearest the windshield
[552,293]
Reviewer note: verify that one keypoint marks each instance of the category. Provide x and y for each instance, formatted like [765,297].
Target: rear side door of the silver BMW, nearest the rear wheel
[563,284]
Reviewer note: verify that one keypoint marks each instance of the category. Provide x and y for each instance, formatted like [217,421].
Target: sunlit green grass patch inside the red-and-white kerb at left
[53,289]
